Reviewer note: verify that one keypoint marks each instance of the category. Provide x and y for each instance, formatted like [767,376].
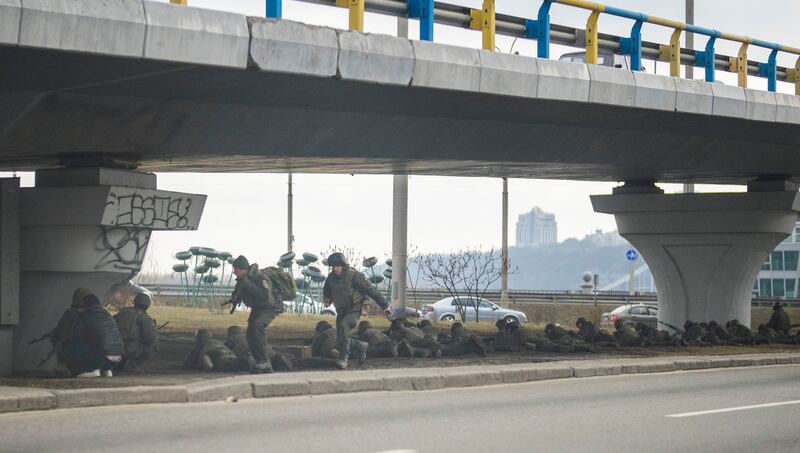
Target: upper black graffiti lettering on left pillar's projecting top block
[149,210]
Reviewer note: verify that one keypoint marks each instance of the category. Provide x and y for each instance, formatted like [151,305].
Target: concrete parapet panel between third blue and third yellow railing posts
[563,81]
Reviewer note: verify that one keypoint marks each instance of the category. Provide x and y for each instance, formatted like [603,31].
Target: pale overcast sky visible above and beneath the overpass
[246,213]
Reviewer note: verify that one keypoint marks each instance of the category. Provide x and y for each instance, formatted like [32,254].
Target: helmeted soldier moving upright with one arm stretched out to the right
[347,289]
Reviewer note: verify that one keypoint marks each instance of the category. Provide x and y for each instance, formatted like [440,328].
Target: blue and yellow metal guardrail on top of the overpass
[540,29]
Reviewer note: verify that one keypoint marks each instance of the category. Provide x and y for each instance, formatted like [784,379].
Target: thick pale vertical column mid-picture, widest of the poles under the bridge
[399,240]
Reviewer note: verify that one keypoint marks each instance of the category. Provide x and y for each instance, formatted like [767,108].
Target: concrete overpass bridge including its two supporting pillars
[102,89]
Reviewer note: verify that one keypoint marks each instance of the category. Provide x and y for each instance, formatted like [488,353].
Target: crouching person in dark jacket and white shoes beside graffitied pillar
[90,344]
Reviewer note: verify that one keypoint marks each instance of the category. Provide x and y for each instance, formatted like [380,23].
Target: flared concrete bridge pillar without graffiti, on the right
[704,249]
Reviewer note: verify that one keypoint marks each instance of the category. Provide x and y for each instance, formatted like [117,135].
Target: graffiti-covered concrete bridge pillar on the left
[85,227]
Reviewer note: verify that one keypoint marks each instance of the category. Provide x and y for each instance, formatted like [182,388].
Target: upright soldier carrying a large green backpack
[254,290]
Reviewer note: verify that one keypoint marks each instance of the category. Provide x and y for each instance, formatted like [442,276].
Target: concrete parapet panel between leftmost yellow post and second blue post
[375,58]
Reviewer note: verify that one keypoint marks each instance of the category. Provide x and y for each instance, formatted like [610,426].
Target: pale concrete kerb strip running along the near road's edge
[14,399]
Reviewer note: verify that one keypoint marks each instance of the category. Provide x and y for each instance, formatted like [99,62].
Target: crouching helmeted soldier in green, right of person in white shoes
[138,333]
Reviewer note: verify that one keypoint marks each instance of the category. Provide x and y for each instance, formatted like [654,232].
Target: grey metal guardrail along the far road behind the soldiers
[428,296]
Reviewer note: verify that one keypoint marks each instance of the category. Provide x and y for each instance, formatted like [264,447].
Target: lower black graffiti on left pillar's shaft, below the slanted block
[122,247]
